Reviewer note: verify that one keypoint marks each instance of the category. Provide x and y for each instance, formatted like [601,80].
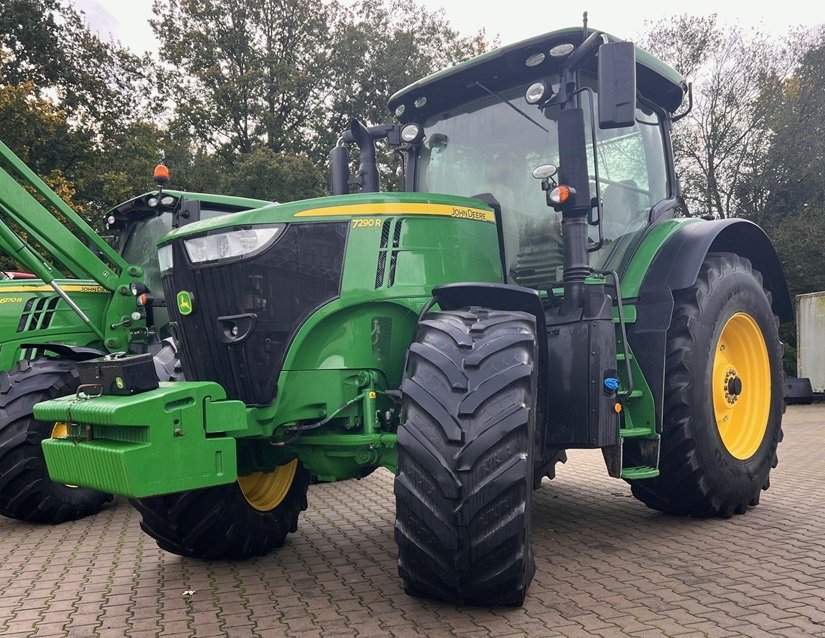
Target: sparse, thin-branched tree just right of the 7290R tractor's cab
[725,138]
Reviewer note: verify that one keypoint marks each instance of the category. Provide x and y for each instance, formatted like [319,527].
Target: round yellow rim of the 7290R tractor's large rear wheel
[741,386]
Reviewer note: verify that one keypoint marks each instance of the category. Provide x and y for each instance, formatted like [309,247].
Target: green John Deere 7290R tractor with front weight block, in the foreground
[536,286]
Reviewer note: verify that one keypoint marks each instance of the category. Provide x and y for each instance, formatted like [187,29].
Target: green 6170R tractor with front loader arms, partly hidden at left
[88,299]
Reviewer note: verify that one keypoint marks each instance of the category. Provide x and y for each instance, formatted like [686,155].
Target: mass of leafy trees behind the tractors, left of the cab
[259,91]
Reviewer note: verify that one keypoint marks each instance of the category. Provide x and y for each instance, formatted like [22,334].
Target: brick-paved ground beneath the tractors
[607,566]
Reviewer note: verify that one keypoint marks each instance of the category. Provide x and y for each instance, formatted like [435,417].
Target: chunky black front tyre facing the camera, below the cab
[463,498]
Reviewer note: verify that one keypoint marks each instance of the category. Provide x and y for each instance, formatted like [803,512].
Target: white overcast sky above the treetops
[514,20]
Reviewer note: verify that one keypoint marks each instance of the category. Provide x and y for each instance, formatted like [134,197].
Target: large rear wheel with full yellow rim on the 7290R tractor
[723,395]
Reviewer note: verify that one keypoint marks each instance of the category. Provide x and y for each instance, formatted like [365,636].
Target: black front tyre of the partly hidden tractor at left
[26,491]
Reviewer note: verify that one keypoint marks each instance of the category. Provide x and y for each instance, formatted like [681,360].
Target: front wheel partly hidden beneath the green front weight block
[221,522]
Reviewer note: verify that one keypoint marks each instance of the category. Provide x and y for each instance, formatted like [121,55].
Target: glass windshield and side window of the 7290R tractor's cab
[488,146]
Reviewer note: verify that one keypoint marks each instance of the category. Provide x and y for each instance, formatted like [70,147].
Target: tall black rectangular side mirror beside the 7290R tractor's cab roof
[617,85]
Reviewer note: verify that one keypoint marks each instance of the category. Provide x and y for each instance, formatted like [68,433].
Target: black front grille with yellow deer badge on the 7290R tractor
[245,312]
